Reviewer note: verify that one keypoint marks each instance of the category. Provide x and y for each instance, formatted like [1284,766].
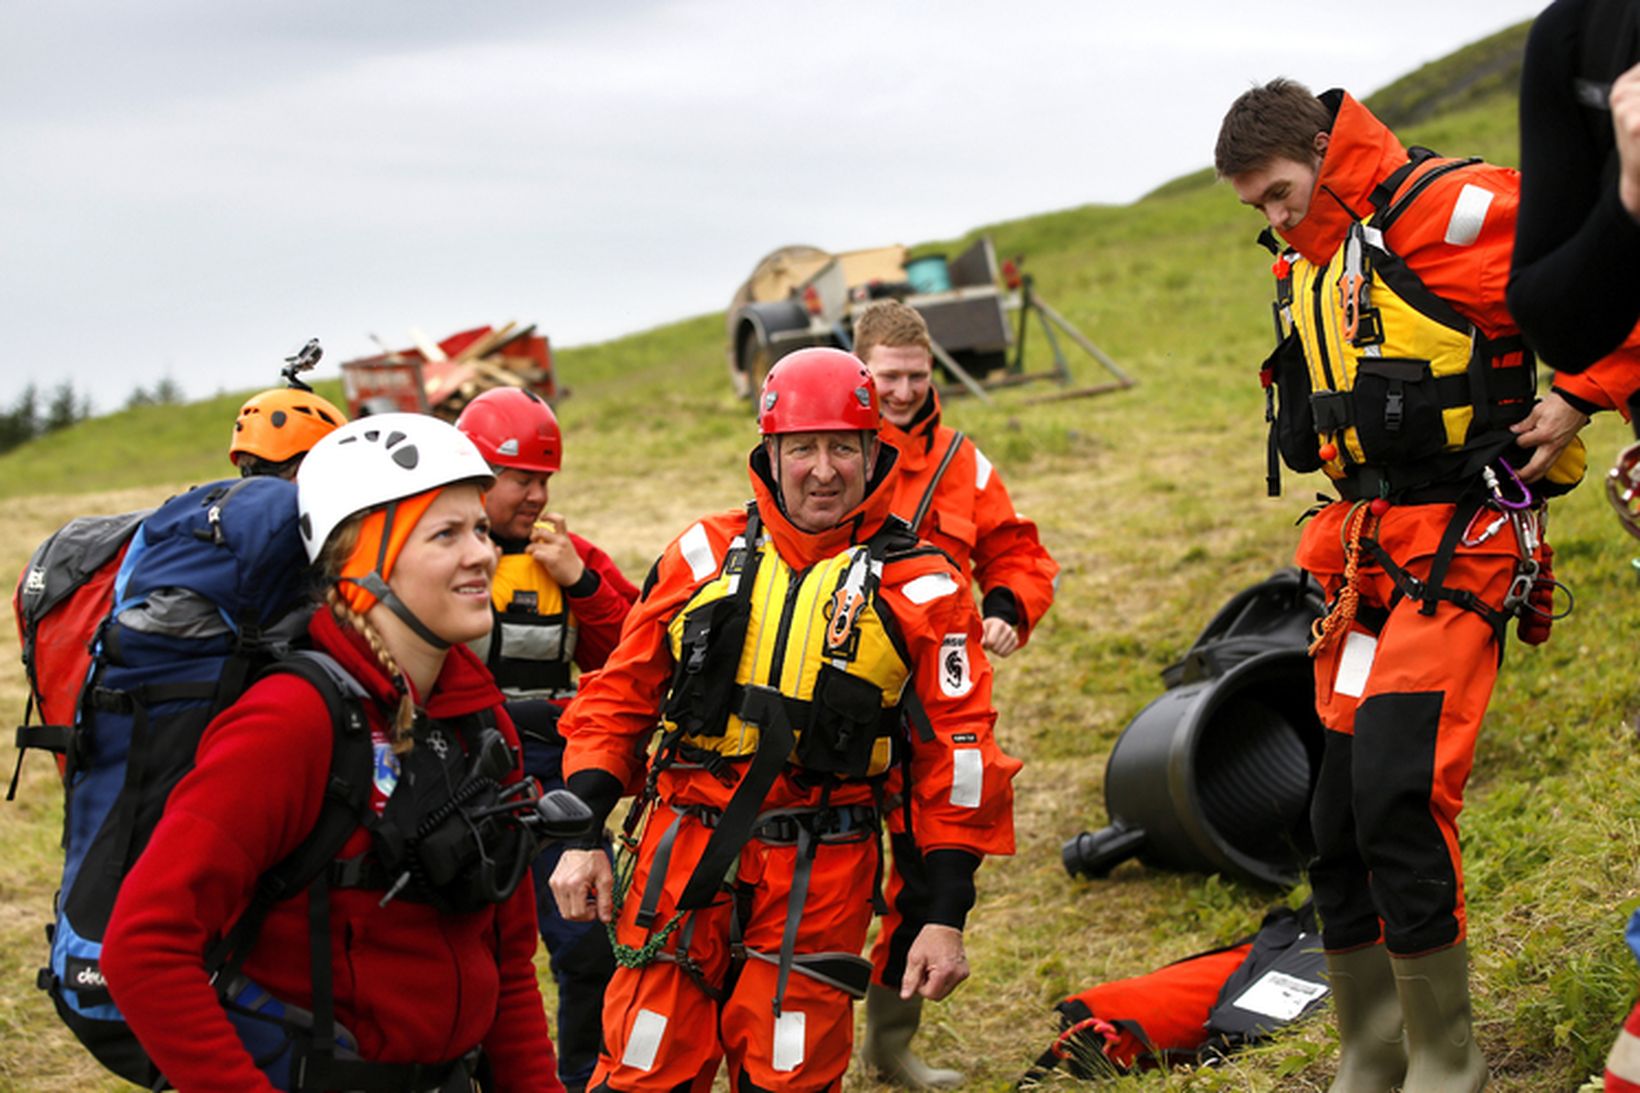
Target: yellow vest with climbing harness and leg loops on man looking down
[1401,400]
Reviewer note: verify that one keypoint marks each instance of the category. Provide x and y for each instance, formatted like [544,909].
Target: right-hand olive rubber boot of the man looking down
[1442,1054]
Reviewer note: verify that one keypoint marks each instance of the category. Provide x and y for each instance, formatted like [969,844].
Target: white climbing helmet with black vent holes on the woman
[375,460]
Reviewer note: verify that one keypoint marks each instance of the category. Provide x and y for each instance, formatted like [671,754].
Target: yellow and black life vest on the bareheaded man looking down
[1396,390]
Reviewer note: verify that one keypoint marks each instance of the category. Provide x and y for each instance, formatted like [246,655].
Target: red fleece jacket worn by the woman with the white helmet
[411,984]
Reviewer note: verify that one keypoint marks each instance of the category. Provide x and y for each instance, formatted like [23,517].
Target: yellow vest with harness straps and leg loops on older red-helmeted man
[818,690]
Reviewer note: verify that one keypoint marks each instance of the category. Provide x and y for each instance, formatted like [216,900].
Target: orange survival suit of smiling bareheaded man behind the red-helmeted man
[957,501]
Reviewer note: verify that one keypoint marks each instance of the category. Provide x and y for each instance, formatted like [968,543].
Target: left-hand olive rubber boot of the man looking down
[1372,1048]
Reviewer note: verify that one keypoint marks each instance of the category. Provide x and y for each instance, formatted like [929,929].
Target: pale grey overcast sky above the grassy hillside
[194,188]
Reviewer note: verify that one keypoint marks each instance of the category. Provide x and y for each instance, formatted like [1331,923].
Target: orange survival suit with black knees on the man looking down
[1403,685]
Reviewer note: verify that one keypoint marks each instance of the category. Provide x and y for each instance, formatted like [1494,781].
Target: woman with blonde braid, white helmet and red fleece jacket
[429,987]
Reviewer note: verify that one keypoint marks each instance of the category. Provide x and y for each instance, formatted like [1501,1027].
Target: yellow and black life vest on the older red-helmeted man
[816,638]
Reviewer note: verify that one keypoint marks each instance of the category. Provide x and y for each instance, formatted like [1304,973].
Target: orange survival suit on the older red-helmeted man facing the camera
[765,972]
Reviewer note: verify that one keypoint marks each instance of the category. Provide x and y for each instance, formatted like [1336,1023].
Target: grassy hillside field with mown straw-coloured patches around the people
[1154,505]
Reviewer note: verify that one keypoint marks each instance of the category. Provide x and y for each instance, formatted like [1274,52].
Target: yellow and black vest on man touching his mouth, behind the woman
[534,641]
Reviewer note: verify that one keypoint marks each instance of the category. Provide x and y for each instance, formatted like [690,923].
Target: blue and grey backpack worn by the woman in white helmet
[207,597]
